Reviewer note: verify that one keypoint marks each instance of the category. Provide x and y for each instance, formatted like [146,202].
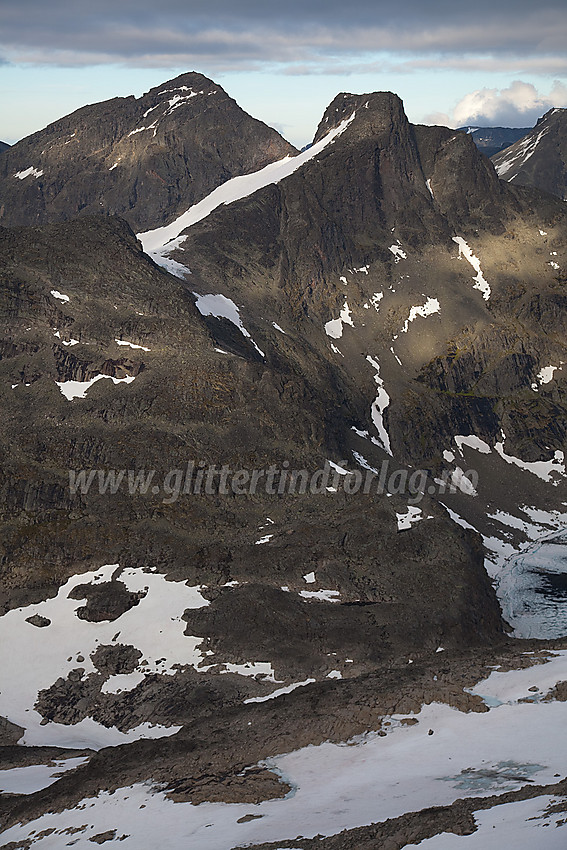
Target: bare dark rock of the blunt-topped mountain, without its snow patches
[384,181]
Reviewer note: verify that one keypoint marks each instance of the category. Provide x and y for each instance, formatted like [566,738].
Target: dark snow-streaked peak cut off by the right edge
[540,158]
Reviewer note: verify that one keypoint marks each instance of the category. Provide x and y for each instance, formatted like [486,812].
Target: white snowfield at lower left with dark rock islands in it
[154,626]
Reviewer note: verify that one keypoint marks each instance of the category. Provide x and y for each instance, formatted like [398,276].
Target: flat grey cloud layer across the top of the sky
[306,35]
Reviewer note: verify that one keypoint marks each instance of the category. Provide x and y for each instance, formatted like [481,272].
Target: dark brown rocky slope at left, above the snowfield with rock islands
[176,409]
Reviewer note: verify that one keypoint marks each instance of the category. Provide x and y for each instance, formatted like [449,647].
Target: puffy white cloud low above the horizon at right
[520,105]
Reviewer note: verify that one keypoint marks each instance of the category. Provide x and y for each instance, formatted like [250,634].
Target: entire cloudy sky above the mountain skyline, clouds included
[491,62]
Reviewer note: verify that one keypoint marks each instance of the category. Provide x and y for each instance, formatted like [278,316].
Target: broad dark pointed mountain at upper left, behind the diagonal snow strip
[148,159]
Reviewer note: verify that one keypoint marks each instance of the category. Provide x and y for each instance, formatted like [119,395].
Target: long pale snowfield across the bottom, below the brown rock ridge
[446,755]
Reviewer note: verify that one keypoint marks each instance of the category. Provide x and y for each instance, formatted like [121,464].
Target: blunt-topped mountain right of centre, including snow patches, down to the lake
[432,287]
